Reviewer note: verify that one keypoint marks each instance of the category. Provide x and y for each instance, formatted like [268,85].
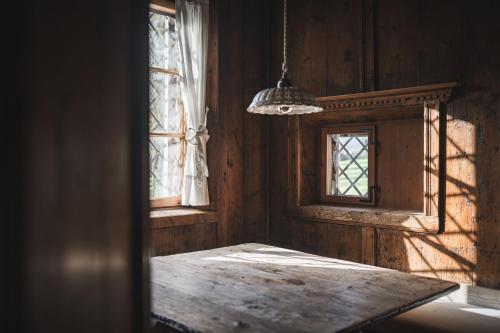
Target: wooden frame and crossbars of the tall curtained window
[167,8]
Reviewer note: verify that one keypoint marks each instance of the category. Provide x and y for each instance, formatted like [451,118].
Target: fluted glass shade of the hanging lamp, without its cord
[284,100]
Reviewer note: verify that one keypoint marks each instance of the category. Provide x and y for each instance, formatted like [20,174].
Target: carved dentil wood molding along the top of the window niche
[440,92]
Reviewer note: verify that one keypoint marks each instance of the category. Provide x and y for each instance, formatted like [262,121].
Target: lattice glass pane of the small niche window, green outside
[350,164]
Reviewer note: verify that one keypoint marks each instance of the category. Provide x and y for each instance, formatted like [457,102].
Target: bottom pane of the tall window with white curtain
[166,170]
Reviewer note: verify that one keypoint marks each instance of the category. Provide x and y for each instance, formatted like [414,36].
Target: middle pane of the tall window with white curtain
[164,96]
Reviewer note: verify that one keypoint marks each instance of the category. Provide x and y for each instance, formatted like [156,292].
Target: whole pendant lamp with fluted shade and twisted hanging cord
[285,99]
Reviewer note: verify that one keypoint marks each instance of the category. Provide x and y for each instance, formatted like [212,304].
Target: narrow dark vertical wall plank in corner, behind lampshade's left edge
[256,128]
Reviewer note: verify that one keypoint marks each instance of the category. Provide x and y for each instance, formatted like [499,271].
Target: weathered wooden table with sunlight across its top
[260,288]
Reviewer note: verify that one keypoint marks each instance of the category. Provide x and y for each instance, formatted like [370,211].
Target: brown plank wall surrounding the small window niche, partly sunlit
[343,46]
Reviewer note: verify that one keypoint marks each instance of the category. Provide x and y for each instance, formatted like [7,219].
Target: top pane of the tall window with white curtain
[163,47]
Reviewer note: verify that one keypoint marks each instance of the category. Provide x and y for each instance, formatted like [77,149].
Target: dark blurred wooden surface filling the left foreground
[74,128]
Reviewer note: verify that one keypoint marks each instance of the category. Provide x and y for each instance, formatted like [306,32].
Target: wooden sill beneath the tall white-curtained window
[180,216]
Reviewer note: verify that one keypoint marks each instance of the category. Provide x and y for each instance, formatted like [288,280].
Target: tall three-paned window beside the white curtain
[167,121]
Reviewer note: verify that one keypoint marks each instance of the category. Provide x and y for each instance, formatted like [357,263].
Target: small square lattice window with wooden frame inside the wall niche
[348,165]
